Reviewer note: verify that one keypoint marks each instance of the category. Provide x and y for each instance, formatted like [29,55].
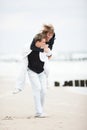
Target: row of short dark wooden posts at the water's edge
[77,83]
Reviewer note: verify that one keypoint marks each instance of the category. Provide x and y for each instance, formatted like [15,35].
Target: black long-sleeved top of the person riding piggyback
[50,44]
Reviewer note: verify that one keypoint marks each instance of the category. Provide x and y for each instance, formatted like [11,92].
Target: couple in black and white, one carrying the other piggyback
[35,61]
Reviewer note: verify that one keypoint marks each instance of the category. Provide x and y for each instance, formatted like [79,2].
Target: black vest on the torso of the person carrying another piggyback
[34,62]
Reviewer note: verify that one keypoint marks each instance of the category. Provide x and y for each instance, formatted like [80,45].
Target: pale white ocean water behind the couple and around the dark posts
[59,71]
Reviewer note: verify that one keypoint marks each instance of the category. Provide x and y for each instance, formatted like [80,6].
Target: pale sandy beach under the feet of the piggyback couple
[66,107]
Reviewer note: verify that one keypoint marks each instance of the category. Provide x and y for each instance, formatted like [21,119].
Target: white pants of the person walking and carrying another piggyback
[39,86]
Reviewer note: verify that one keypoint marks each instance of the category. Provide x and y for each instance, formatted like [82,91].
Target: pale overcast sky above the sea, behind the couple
[20,20]
